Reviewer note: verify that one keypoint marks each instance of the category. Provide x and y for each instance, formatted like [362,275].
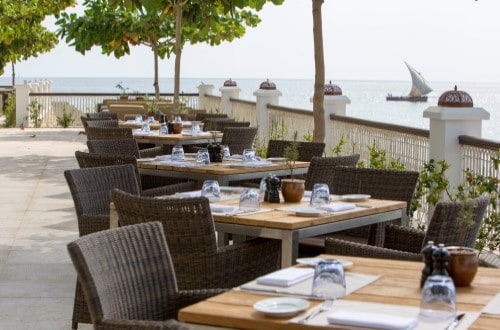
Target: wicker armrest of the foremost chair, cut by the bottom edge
[142,325]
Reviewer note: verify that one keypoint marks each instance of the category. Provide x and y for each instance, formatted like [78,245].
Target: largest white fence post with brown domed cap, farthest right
[447,123]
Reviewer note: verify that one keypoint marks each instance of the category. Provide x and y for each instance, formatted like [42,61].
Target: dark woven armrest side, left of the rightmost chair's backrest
[403,238]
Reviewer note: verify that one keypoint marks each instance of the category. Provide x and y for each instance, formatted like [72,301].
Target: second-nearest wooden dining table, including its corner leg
[278,222]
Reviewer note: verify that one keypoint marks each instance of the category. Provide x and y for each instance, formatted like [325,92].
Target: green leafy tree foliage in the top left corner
[22,34]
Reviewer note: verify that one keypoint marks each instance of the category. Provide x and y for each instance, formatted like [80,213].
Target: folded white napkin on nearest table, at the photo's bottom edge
[372,320]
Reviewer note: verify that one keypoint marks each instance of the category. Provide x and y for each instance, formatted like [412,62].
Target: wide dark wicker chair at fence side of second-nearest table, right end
[379,183]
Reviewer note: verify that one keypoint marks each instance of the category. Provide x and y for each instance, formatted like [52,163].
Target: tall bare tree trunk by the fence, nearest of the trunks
[319,78]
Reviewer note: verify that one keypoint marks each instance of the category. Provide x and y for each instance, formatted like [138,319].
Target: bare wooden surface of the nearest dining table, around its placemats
[396,286]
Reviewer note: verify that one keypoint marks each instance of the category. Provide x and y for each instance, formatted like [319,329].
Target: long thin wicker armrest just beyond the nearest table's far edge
[340,247]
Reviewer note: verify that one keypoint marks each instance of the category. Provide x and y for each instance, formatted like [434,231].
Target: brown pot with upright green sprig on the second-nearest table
[291,188]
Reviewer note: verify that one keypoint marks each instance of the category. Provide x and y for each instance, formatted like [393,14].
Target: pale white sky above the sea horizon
[446,40]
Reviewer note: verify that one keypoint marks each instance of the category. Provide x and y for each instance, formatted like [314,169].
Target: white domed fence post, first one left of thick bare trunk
[266,94]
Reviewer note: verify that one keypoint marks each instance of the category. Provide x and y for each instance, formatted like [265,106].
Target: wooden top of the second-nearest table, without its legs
[281,218]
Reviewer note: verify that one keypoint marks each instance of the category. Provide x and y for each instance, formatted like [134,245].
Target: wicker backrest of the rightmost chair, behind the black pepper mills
[457,223]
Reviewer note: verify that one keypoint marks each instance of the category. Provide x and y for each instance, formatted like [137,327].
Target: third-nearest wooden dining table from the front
[224,172]
